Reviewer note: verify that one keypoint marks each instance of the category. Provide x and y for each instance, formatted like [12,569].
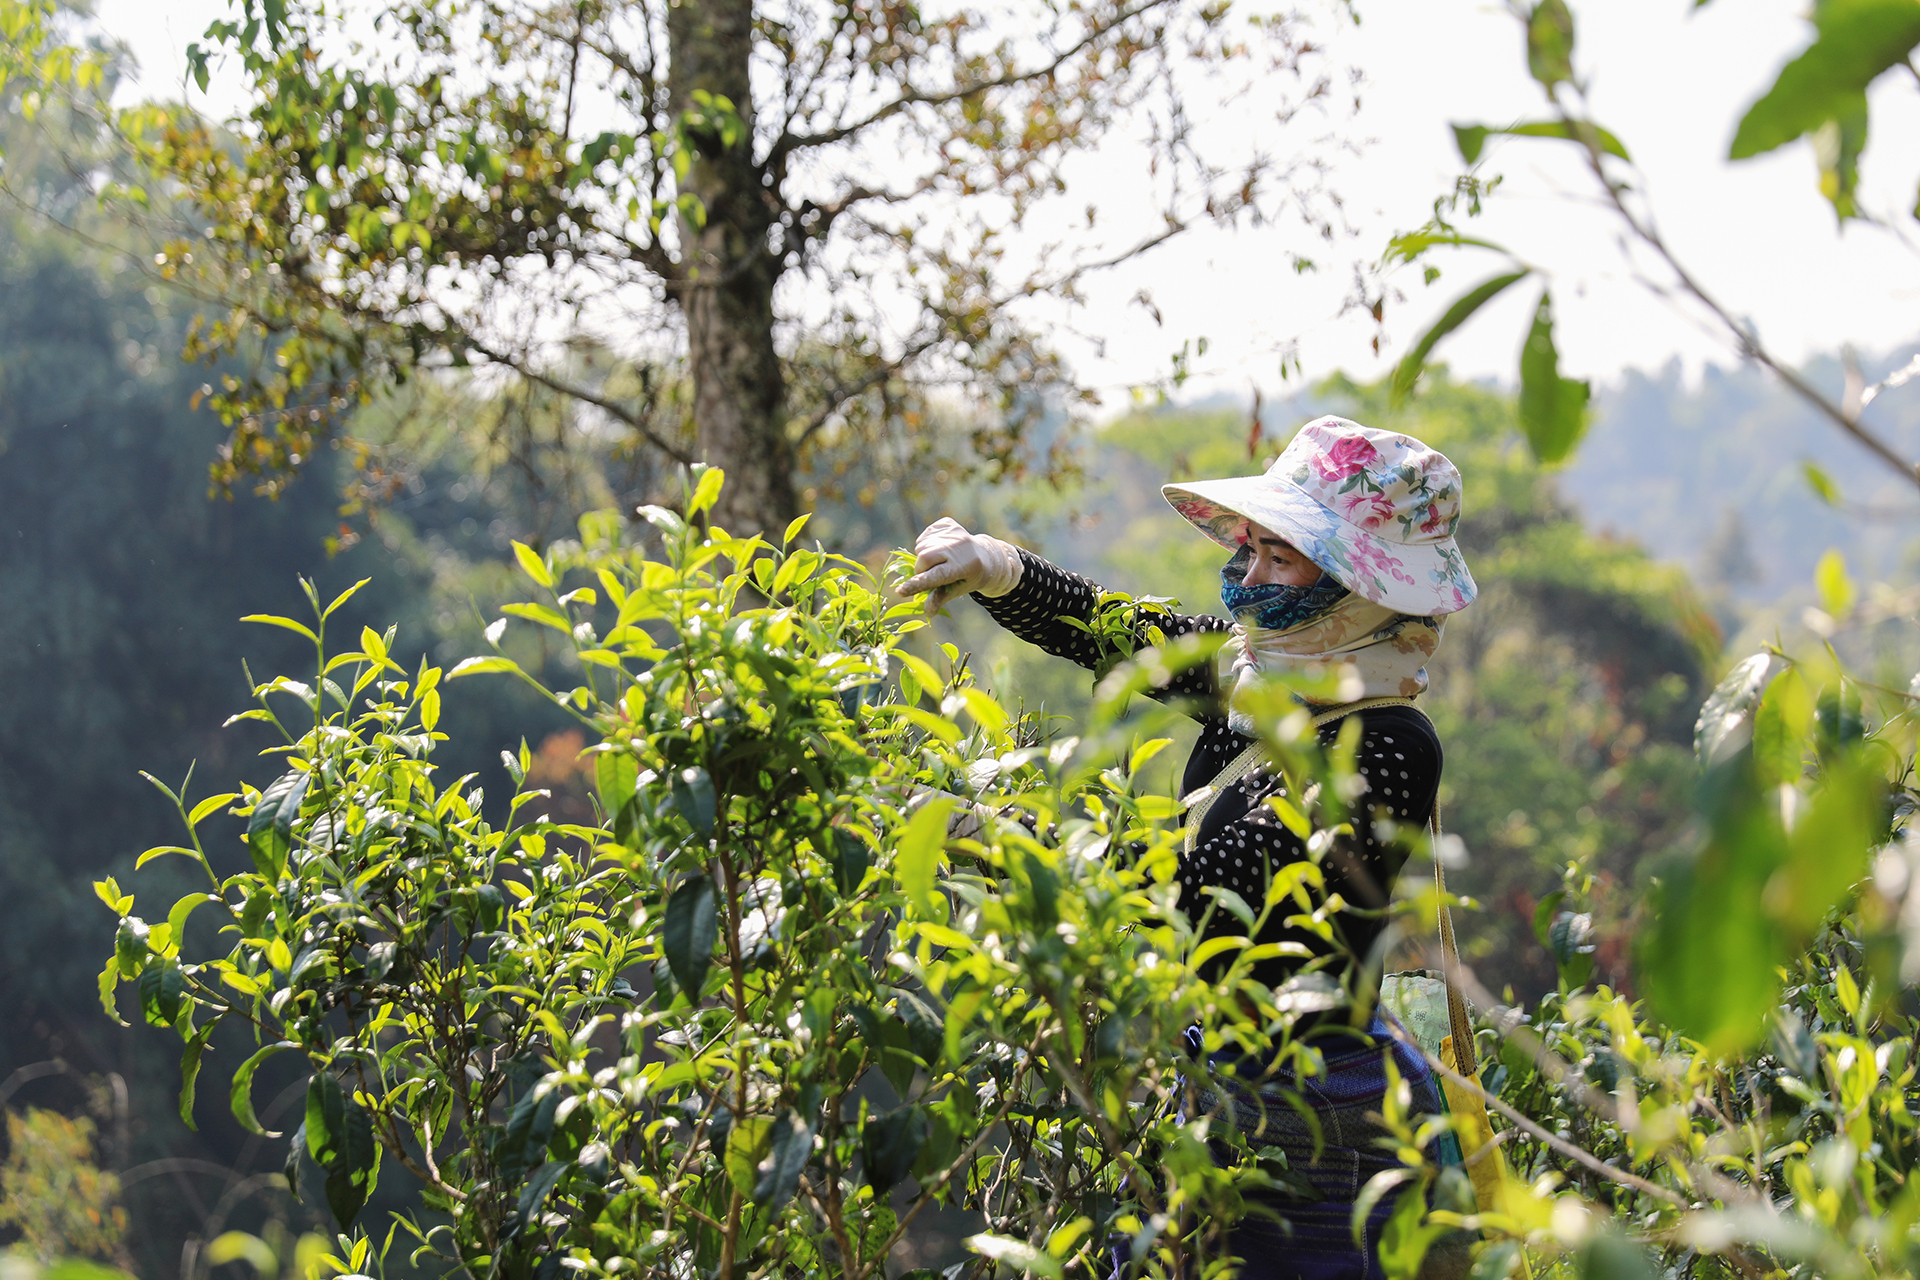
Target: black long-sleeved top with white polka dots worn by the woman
[1241,840]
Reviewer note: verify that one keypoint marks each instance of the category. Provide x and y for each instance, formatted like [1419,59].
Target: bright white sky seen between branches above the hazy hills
[1669,80]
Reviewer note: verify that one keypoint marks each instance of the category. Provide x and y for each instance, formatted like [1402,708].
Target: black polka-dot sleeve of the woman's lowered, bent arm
[1243,841]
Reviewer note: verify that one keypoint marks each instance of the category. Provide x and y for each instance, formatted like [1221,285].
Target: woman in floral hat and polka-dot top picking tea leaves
[1343,552]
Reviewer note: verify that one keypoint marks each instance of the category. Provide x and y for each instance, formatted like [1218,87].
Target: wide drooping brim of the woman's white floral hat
[1424,581]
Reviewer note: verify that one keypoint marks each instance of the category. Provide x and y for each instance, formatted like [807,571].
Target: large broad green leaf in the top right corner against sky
[1856,43]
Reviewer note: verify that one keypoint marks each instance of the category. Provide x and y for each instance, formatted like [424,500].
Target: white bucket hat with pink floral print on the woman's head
[1376,510]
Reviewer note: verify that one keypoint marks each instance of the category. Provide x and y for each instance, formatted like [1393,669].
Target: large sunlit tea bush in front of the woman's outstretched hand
[727,1022]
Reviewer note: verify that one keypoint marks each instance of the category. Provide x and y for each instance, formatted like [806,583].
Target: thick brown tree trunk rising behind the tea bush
[729,275]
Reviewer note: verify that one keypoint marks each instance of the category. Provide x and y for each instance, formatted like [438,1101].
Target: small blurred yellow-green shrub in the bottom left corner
[53,1193]
